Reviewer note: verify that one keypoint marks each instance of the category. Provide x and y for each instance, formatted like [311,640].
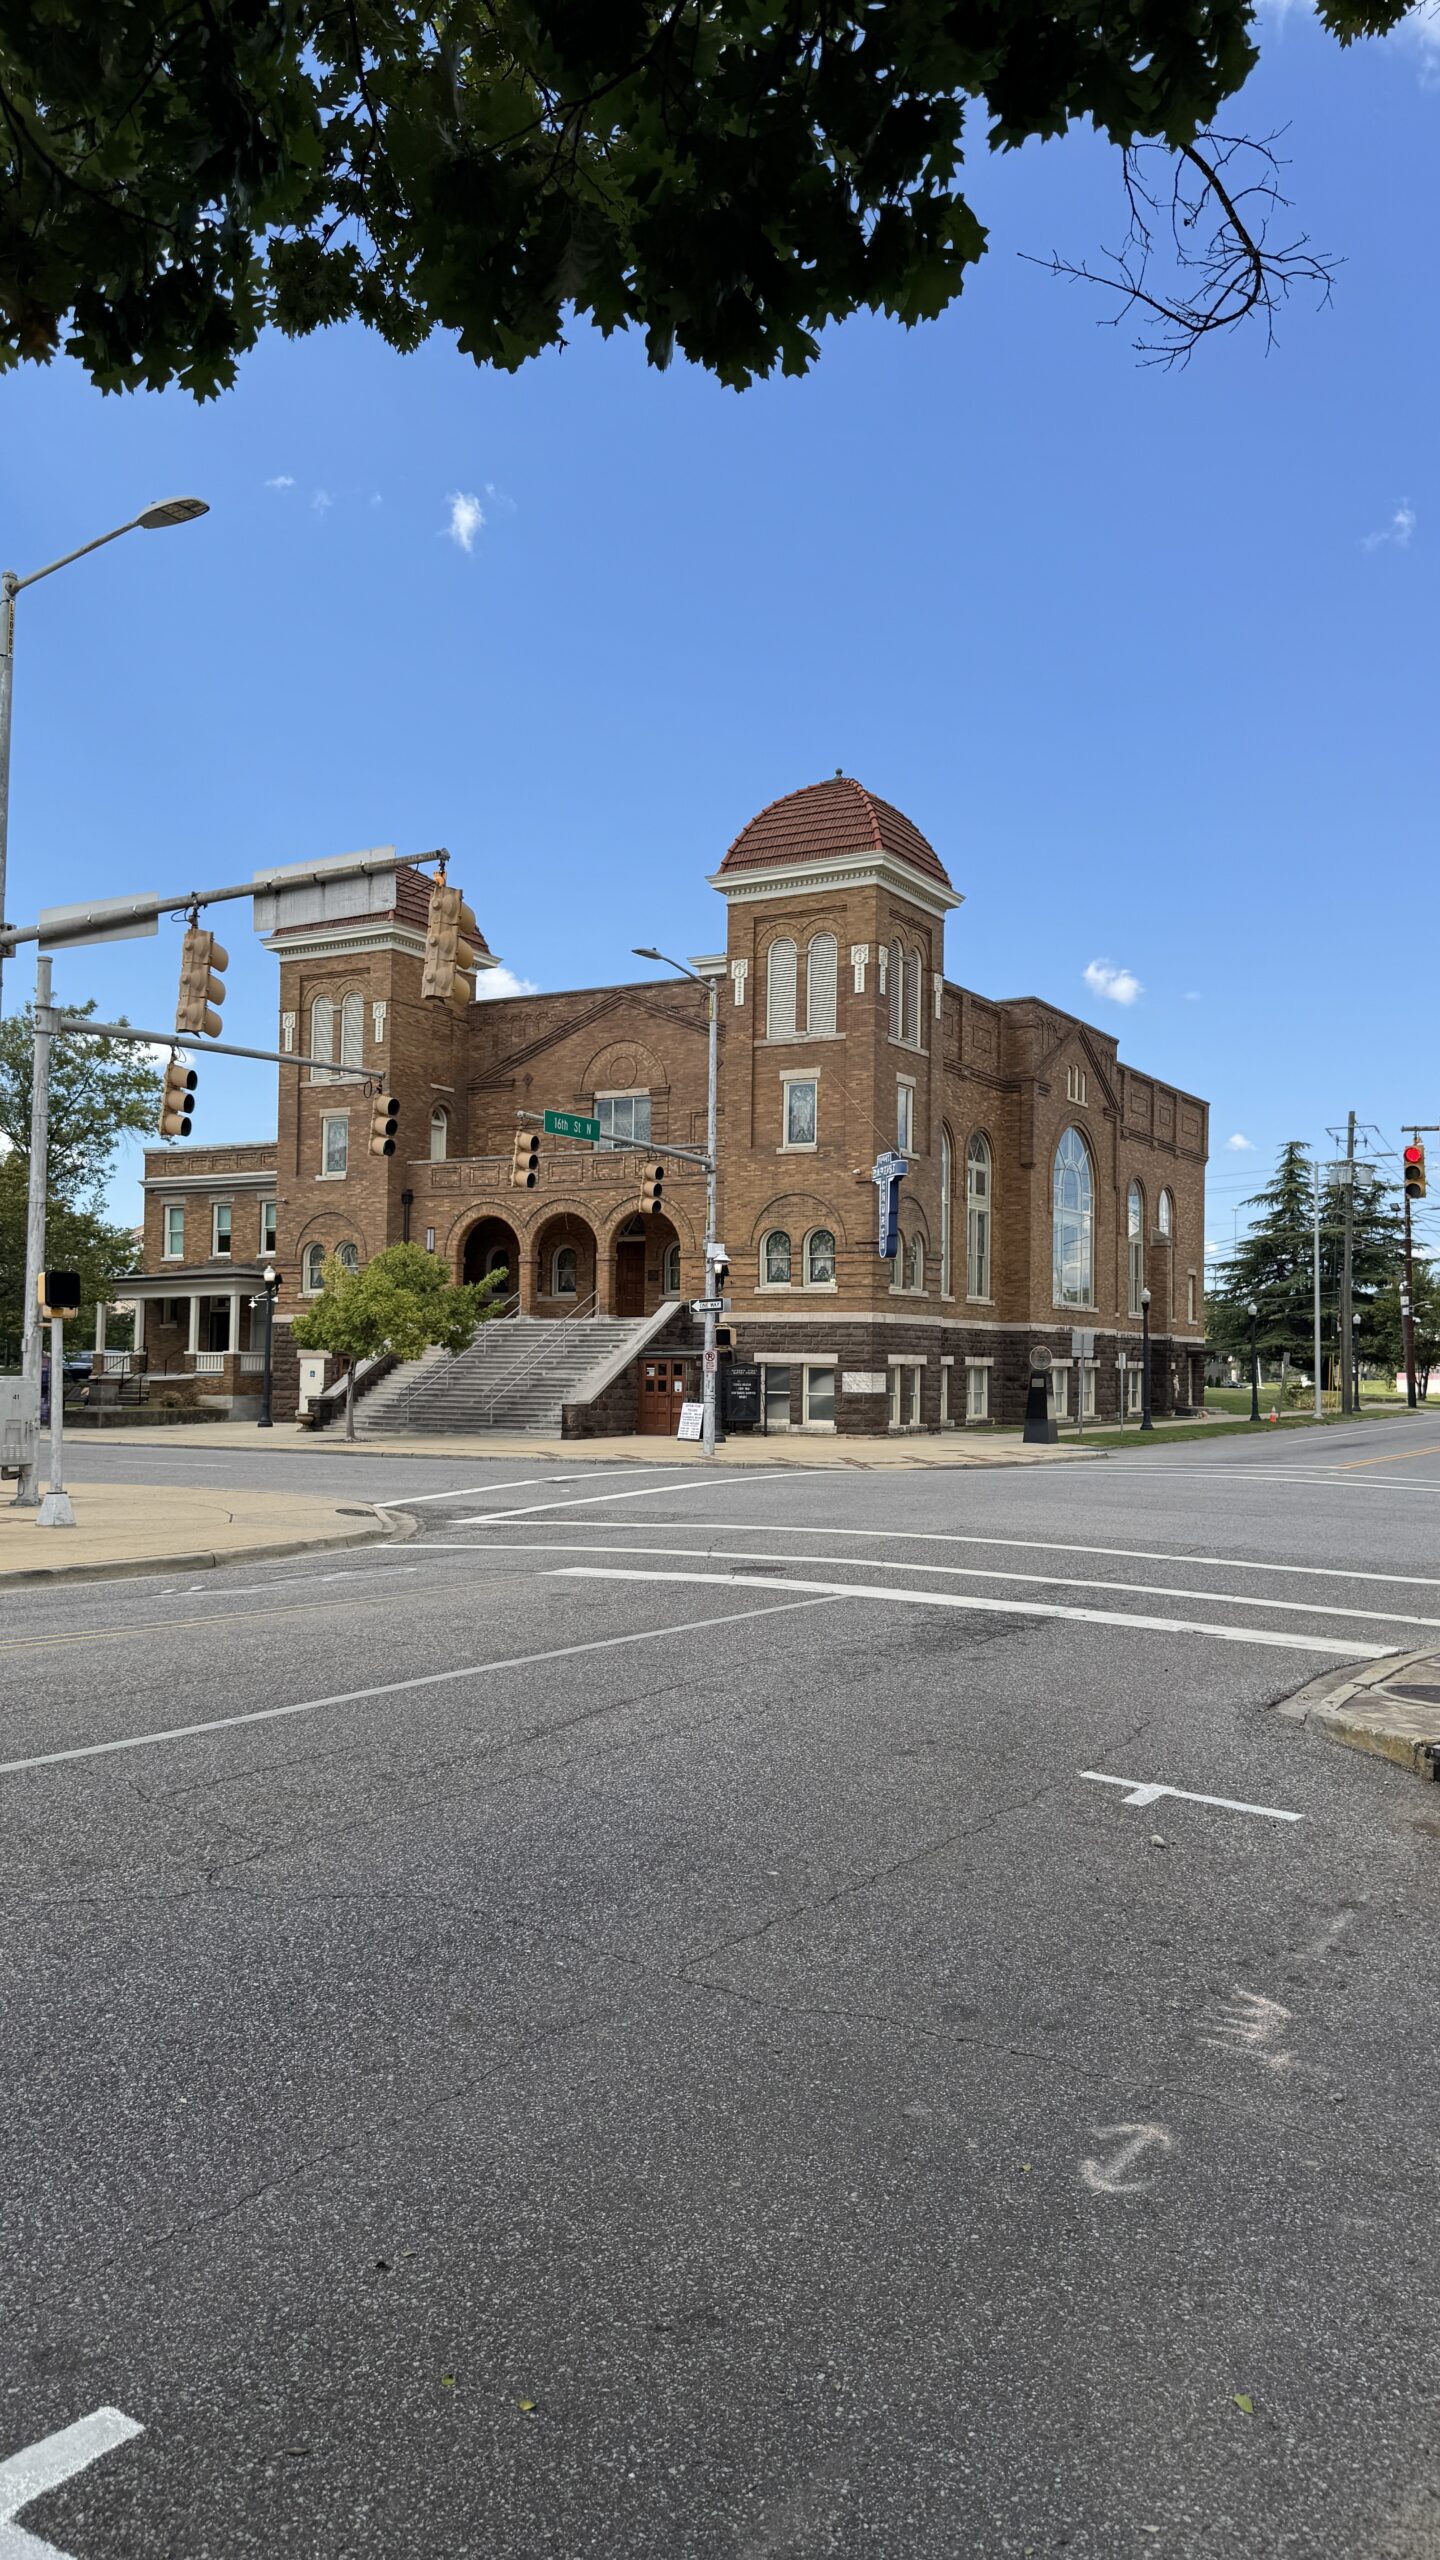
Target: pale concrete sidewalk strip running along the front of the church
[755,1450]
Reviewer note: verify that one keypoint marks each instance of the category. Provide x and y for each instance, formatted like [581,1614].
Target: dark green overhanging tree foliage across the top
[726,175]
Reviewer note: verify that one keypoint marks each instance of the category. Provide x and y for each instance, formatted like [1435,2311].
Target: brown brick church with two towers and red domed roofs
[1049,1181]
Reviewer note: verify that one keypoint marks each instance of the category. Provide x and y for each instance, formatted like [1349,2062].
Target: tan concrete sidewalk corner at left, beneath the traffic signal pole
[135,1530]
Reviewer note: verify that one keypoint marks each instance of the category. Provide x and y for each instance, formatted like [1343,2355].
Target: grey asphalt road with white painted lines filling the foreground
[647,2024]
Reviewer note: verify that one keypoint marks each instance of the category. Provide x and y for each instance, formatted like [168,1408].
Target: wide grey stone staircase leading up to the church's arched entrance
[516,1376]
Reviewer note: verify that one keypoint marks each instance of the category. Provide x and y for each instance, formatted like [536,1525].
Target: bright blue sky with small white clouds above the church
[1149,657]
